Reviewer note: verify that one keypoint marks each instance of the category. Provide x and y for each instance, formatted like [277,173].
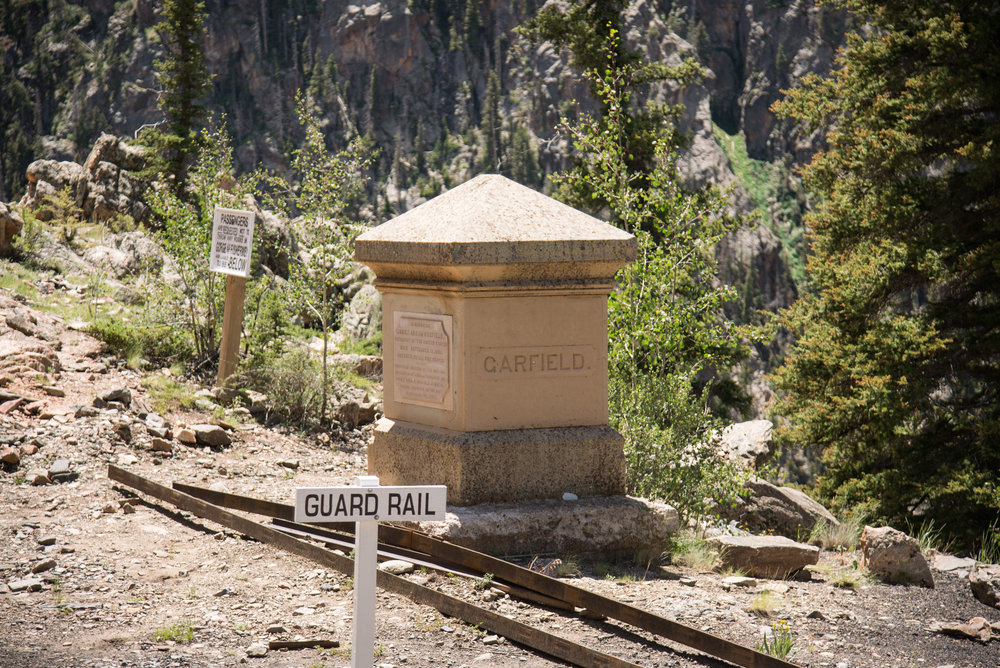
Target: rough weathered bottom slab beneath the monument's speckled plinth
[609,527]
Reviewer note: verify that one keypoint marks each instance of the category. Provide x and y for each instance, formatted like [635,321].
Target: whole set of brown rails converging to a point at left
[425,550]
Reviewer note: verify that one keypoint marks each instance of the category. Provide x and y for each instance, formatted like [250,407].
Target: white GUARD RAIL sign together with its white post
[366,505]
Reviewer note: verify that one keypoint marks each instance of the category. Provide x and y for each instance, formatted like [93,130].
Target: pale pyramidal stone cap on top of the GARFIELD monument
[493,221]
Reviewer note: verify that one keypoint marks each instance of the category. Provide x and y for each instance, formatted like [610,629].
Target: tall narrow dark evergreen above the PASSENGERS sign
[185,80]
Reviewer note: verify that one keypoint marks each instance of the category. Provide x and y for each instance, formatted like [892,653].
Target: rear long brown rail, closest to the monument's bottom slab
[465,558]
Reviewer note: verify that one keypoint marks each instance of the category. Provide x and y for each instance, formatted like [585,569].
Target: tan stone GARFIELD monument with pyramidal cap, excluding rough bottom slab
[495,346]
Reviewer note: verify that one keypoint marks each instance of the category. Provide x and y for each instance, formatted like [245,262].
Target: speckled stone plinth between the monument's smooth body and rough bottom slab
[495,466]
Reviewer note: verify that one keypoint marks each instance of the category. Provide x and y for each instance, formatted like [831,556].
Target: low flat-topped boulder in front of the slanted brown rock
[773,557]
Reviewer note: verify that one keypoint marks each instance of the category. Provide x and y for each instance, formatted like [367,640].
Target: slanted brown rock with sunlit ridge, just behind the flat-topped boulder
[785,511]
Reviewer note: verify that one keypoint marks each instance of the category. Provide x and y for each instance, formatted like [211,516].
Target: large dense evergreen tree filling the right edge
[896,372]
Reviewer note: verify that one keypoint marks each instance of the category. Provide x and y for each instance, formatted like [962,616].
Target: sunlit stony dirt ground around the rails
[120,573]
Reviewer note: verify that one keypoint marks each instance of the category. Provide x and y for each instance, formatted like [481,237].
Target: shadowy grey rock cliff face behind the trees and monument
[412,74]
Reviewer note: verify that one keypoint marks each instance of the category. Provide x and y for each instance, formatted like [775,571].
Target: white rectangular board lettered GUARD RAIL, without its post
[384,504]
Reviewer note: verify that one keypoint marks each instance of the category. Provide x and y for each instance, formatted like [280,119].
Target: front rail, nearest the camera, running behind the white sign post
[539,640]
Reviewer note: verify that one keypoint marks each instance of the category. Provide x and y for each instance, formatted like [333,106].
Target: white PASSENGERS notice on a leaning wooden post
[232,246]
